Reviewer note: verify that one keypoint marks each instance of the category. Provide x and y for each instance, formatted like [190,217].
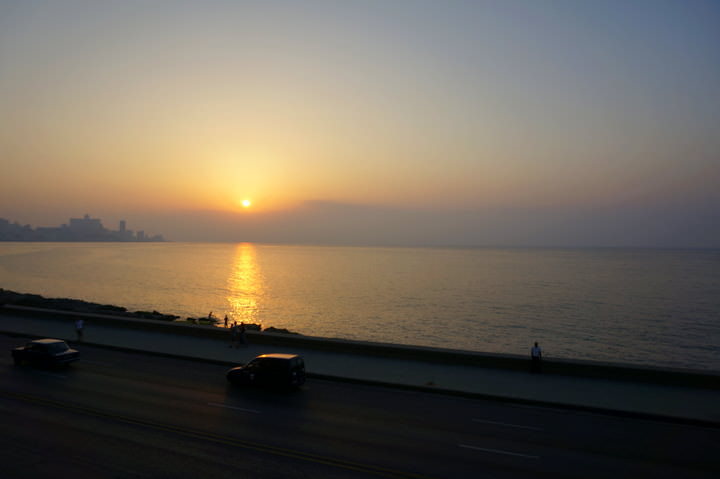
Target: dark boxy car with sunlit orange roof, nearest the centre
[270,370]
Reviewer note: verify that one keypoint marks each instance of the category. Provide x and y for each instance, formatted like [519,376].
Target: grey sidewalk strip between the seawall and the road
[670,402]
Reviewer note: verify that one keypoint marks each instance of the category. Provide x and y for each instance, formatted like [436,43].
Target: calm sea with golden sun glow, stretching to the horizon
[656,307]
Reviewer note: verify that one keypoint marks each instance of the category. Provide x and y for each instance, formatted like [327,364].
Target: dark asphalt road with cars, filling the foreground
[128,415]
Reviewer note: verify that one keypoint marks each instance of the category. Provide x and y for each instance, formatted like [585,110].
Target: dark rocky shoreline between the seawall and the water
[81,306]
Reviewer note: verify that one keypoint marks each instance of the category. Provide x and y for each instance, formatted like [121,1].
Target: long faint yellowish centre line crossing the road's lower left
[219,438]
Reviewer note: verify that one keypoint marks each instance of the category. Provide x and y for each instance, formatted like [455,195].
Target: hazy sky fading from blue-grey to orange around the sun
[589,123]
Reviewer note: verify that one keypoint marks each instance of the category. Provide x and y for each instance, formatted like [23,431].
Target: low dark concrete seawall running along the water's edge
[580,368]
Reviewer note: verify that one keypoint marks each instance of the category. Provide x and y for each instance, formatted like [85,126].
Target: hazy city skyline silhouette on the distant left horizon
[77,229]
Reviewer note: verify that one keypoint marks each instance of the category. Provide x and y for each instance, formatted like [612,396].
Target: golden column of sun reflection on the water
[245,285]
